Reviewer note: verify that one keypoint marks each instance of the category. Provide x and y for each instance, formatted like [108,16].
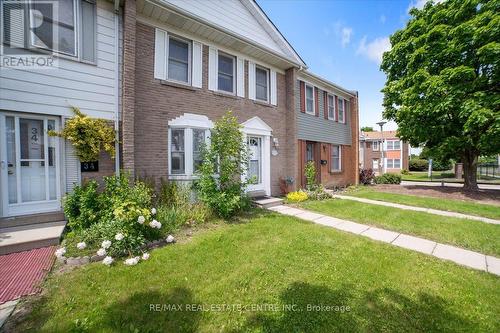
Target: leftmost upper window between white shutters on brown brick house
[178,59]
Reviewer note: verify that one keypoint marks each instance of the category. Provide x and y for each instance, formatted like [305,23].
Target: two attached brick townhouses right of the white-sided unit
[186,63]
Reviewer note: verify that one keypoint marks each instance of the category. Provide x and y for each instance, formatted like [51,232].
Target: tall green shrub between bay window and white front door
[224,161]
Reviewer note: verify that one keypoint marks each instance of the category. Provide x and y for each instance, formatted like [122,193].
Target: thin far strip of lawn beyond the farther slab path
[466,207]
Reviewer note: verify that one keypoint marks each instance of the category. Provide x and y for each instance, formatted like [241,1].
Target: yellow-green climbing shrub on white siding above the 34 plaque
[88,136]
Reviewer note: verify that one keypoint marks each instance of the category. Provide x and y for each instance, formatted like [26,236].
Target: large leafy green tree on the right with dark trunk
[443,85]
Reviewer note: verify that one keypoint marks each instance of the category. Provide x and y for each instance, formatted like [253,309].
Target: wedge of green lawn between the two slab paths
[469,234]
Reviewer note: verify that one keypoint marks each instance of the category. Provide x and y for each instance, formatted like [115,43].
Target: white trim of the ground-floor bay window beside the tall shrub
[188,122]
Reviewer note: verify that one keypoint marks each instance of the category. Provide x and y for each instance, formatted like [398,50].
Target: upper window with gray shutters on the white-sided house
[55,28]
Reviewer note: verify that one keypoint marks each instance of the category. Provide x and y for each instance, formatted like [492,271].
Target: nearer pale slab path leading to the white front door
[460,256]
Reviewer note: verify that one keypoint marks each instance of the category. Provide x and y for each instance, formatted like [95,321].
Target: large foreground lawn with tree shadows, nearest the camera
[276,260]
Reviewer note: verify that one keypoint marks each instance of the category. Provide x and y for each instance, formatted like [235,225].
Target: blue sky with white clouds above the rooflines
[343,40]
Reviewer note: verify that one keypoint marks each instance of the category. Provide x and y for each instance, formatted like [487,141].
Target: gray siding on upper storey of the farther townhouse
[312,128]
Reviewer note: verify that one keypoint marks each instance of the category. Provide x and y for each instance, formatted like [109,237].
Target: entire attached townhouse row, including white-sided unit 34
[161,72]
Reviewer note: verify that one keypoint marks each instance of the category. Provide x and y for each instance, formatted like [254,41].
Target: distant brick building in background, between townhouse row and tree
[383,152]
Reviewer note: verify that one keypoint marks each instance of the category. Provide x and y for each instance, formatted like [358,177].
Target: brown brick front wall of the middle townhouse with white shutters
[156,103]
